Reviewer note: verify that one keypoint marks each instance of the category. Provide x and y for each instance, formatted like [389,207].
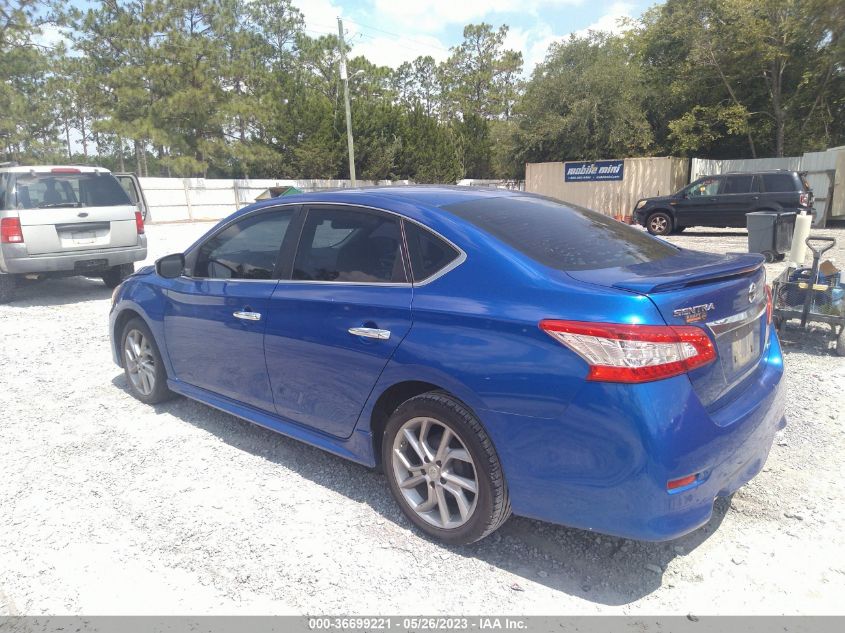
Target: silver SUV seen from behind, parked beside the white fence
[61,221]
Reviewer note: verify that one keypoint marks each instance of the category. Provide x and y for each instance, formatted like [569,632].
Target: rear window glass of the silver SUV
[52,190]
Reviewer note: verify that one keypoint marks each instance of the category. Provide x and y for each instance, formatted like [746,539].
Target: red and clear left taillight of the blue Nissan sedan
[619,352]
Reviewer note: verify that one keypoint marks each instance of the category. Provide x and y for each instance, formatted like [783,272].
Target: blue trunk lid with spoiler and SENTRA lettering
[724,294]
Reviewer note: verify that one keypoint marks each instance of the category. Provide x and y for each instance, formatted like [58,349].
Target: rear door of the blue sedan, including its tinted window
[335,323]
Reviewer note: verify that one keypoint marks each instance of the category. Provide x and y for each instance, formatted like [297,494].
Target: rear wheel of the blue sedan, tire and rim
[443,470]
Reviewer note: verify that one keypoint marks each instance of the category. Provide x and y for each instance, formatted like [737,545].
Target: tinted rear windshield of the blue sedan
[562,236]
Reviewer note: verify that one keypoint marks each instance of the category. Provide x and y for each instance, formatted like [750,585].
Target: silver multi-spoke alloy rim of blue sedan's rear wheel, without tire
[435,472]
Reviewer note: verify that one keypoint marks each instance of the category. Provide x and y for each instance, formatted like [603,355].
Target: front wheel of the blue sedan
[145,373]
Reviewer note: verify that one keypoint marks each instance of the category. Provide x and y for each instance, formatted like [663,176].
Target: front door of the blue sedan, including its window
[216,314]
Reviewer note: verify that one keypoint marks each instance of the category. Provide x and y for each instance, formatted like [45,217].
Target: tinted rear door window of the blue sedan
[345,245]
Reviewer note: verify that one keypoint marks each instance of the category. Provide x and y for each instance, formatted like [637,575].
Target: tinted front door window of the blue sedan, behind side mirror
[247,249]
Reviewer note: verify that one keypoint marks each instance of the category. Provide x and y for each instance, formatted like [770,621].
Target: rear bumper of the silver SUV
[15,259]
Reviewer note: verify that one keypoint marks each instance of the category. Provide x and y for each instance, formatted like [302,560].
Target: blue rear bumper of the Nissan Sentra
[605,463]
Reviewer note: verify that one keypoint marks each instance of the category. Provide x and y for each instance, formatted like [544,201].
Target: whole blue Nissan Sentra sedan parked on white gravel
[493,352]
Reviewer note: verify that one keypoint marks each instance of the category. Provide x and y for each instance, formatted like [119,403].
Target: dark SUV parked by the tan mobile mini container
[724,200]
